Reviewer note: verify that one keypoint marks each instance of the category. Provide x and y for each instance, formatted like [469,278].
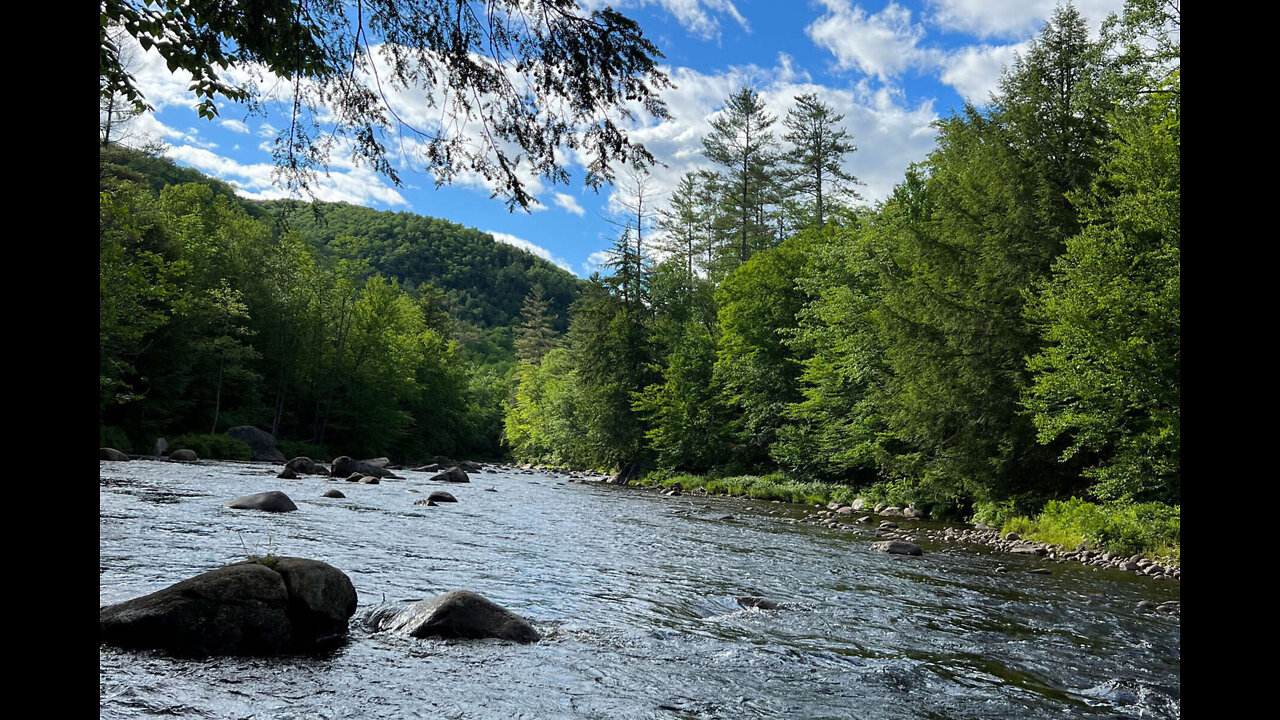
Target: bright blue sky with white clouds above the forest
[890,69]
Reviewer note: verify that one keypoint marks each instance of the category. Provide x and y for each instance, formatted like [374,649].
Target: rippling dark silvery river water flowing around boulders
[636,598]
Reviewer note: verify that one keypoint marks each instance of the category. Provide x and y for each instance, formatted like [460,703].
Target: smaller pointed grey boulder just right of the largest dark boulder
[460,614]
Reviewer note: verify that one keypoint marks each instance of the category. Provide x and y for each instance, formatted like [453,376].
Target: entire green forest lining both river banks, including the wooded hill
[999,339]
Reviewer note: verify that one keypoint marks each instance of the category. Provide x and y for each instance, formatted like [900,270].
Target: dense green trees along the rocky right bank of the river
[999,334]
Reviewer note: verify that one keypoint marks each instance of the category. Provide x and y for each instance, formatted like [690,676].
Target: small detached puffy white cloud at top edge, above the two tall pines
[884,45]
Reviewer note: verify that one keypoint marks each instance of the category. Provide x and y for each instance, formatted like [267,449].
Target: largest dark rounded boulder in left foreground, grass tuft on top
[269,607]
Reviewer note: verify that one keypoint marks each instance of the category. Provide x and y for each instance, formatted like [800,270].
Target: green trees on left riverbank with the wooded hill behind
[211,318]
